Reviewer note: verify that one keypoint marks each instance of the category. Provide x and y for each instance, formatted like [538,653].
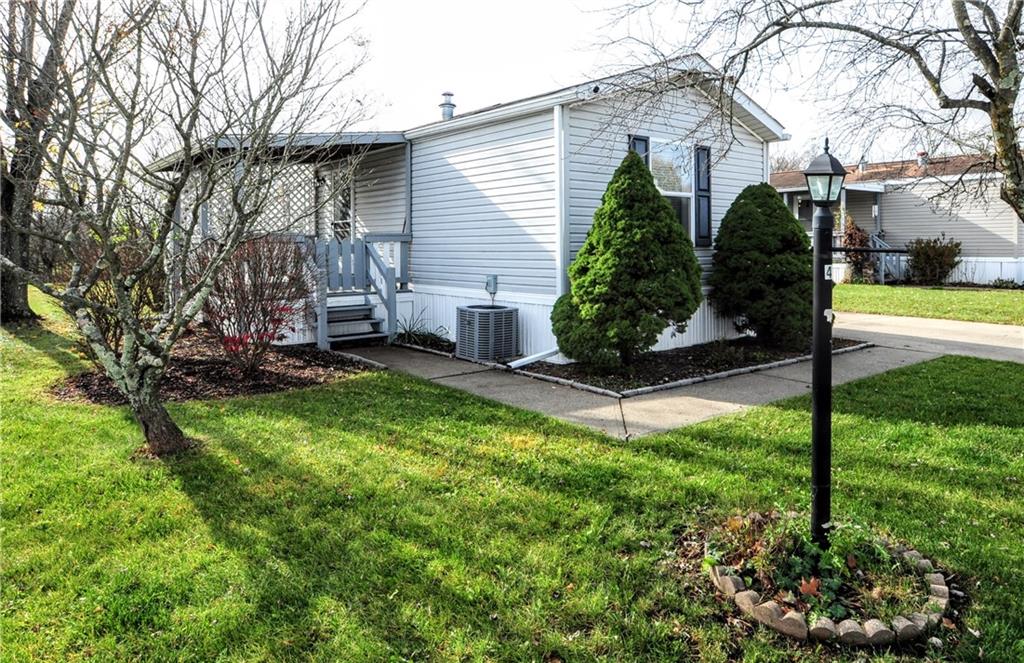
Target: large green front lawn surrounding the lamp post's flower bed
[386,518]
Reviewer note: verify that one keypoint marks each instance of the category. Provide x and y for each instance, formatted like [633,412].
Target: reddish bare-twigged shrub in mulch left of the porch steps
[255,297]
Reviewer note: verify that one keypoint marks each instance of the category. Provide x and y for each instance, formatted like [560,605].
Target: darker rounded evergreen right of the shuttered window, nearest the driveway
[762,269]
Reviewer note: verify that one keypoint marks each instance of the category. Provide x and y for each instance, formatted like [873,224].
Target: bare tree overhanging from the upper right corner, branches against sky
[942,73]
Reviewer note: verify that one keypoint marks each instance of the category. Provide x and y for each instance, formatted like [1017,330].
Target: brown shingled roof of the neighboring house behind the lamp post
[878,174]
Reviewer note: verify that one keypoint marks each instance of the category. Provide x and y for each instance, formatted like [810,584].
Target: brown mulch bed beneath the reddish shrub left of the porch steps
[200,371]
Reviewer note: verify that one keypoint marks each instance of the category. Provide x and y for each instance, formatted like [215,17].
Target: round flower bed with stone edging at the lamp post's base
[865,592]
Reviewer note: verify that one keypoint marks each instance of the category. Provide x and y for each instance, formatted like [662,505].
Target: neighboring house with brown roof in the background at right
[901,201]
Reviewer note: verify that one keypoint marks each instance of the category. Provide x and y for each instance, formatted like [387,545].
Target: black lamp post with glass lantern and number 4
[825,182]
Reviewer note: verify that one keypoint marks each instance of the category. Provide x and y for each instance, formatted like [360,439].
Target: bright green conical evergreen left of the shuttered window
[635,275]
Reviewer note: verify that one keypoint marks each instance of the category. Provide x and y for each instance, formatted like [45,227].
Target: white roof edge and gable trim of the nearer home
[746,110]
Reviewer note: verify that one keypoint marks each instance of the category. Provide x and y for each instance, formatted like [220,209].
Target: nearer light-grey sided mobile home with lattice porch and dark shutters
[509,193]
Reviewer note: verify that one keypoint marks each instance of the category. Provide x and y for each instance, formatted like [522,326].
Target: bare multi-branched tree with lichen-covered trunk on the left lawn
[228,89]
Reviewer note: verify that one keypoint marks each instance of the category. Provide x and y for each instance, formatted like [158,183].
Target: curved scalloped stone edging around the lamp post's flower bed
[872,633]
